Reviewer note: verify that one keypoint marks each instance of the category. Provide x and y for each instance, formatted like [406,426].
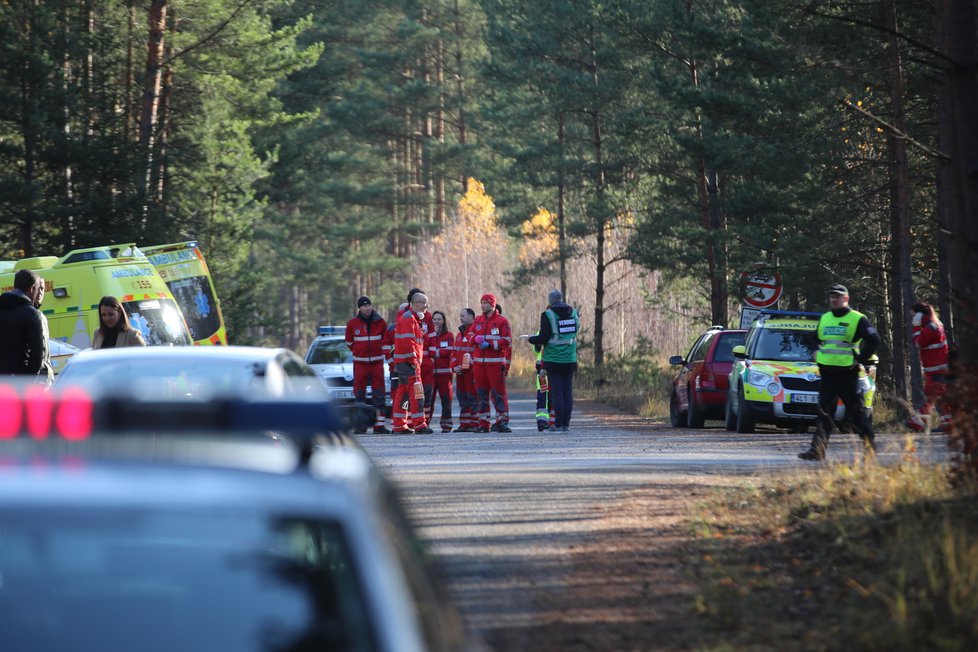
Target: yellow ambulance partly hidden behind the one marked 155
[182,267]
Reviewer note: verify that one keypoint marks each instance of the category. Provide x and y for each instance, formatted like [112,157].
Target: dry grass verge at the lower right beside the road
[850,557]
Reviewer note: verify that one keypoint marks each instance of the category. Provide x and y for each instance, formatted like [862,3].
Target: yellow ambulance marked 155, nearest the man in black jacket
[76,282]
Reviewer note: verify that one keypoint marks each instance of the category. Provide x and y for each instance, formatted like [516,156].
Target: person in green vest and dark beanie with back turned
[559,325]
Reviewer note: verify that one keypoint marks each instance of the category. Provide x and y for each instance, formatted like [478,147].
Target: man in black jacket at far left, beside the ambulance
[24,330]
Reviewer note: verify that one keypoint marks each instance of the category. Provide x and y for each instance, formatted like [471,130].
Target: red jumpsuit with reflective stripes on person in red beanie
[493,338]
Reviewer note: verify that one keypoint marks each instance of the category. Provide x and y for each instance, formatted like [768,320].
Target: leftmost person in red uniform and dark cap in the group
[365,335]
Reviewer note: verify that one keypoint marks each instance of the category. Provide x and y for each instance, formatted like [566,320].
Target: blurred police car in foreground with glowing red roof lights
[132,524]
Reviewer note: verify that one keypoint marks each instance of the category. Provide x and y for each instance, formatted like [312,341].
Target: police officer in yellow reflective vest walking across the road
[846,341]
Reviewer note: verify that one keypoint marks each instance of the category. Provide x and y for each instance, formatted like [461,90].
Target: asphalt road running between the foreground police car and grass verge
[574,541]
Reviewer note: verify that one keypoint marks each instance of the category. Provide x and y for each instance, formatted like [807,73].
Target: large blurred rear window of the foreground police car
[206,580]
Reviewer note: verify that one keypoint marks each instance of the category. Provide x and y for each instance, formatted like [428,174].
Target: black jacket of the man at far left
[23,336]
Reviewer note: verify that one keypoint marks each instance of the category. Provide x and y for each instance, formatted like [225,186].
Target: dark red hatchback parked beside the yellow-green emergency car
[699,390]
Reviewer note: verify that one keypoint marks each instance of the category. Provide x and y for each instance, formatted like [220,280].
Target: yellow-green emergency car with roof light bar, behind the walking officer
[774,377]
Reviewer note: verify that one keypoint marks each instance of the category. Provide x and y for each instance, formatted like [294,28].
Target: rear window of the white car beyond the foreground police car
[163,378]
